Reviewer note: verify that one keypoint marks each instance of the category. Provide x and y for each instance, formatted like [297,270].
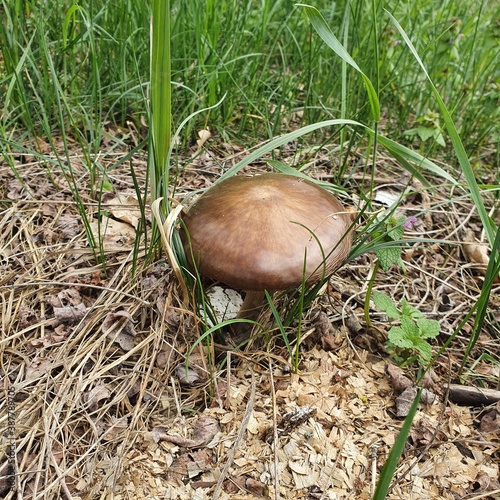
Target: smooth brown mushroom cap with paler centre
[255,233]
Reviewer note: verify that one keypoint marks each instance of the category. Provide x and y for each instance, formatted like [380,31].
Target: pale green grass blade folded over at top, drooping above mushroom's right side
[331,40]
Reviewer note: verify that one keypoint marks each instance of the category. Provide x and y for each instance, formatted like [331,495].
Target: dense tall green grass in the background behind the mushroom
[262,55]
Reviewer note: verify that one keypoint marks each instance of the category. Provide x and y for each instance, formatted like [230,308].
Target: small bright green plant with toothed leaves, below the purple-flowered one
[408,341]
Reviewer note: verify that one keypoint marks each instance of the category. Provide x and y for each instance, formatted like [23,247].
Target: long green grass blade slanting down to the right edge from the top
[463,159]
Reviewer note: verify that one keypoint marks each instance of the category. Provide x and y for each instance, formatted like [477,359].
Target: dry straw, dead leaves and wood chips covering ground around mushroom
[93,360]
